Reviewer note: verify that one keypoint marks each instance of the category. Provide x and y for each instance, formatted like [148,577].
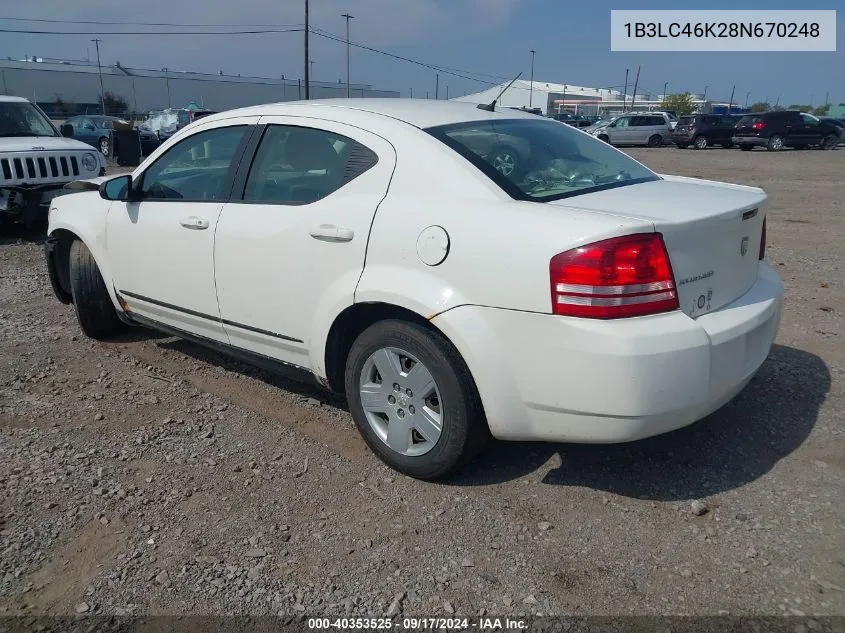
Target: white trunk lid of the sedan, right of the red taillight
[712,232]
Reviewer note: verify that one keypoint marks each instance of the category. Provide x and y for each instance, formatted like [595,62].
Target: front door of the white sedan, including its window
[161,242]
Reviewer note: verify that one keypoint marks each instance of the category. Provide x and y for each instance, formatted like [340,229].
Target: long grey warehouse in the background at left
[77,85]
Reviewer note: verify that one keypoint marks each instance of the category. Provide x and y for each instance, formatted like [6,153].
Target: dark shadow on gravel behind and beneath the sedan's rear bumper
[730,448]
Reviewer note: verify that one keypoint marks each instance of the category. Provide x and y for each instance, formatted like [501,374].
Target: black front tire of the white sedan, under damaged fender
[94,310]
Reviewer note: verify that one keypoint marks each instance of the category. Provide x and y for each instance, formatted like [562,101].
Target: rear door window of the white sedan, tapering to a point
[299,165]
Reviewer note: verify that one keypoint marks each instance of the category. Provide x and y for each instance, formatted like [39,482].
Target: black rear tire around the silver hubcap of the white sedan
[464,430]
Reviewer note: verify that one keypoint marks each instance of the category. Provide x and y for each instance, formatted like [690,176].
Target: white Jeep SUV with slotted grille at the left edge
[36,162]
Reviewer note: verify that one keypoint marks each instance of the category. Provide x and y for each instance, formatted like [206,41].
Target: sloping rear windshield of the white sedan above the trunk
[534,159]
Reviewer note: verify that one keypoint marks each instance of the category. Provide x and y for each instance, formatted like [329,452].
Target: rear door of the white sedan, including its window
[291,243]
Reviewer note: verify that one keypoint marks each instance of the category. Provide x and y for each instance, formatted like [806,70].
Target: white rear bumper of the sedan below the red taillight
[551,378]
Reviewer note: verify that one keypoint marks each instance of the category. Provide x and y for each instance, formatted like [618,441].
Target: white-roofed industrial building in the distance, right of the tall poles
[554,98]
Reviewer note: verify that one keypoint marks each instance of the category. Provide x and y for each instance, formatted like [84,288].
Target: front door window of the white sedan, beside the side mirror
[194,169]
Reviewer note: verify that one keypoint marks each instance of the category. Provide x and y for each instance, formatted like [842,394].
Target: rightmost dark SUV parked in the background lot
[786,128]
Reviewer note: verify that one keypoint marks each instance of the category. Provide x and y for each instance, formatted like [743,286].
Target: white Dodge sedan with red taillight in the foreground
[373,246]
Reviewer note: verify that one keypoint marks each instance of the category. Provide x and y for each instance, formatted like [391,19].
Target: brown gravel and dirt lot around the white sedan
[148,476]
